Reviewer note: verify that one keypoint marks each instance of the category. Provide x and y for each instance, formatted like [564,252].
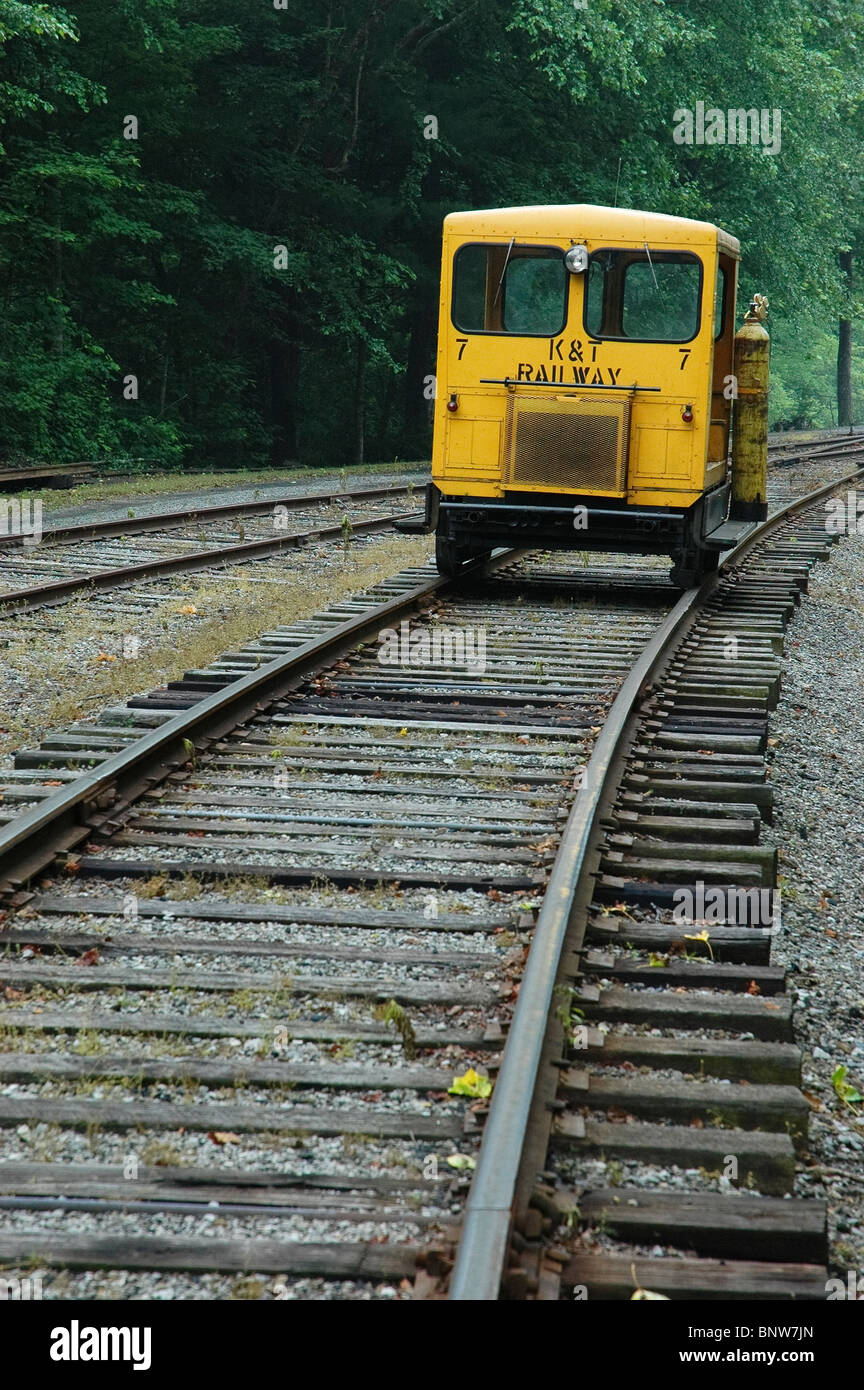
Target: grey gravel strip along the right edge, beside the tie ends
[819,831]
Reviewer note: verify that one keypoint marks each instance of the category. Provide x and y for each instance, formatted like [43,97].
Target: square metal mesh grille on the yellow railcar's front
[567,444]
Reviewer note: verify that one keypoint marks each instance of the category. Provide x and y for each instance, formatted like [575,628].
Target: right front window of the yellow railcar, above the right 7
[647,297]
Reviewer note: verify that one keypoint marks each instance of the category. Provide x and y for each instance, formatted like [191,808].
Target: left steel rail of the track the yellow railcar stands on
[33,840]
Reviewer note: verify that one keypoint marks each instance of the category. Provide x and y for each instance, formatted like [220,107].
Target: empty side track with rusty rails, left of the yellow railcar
[124,553]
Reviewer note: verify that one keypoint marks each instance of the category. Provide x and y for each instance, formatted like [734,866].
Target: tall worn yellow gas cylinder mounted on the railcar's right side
[751,416]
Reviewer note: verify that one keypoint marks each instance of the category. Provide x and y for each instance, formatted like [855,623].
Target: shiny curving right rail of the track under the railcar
[485,1238]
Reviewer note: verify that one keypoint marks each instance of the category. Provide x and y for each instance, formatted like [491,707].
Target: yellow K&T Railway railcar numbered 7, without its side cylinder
[584,402]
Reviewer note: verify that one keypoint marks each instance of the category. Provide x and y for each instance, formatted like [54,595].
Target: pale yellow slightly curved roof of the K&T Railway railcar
[588,220]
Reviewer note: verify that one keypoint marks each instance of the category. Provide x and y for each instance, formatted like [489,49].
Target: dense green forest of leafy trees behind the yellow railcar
[220,219]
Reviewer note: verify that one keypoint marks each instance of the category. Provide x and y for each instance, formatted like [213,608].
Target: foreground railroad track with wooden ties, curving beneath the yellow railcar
[267,936]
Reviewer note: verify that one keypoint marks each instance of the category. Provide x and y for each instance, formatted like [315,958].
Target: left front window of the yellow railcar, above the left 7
[510,290]
